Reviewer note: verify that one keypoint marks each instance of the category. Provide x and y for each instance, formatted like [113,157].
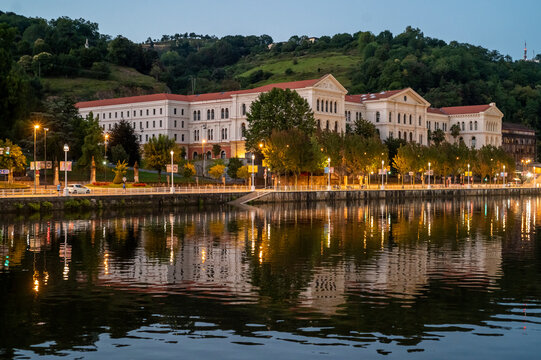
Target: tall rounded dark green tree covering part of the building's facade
[277,110]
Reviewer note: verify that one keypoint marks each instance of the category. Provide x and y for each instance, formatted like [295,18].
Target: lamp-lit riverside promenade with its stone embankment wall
[11,201]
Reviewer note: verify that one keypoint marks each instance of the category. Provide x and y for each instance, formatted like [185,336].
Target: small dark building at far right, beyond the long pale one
[519,141]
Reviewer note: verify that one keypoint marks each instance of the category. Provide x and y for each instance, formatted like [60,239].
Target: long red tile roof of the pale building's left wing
[199,97]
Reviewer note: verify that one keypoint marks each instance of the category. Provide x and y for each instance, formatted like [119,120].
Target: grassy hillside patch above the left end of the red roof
[123,81]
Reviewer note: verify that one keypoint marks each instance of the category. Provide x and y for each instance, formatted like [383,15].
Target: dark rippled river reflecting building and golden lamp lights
[447,278]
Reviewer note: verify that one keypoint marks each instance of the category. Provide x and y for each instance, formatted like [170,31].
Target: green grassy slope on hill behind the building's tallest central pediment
[311,66]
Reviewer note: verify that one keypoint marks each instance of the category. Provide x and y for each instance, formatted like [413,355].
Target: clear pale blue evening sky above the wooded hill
[501,25]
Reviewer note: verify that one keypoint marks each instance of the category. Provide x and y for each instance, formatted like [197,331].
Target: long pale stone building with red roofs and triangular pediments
[197,122]
